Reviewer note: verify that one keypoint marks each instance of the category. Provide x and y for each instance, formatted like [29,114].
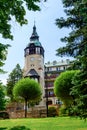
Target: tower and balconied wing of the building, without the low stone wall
[45,74]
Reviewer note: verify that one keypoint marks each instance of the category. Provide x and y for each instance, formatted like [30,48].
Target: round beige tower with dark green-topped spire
[34,60]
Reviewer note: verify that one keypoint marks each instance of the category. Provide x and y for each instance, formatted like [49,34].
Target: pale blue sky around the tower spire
[49,35]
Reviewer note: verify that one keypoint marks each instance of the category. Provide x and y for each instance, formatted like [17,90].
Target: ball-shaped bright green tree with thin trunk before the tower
[28,90]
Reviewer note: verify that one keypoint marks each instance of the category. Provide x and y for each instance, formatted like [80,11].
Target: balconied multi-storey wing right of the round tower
[52,71]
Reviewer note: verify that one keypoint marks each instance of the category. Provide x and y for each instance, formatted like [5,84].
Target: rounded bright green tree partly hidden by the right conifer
[63,85]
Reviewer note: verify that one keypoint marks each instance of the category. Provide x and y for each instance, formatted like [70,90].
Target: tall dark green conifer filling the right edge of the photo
[76,11]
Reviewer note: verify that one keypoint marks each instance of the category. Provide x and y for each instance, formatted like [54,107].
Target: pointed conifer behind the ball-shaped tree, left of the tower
[14,76]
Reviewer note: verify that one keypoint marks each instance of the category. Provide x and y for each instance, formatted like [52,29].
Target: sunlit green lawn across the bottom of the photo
[59,123]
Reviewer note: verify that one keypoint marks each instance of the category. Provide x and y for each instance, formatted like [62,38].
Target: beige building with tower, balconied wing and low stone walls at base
[45,74]
